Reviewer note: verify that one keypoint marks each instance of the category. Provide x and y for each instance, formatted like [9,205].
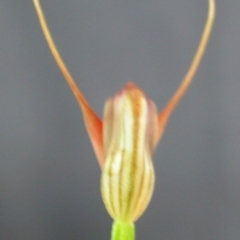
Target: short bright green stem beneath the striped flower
[123,231]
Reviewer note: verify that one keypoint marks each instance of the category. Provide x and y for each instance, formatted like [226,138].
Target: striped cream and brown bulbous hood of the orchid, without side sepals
[130,134]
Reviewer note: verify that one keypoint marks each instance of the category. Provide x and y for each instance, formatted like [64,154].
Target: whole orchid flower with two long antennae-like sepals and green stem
[124,141]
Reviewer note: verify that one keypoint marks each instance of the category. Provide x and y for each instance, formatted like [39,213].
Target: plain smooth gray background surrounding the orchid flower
[49,177]
